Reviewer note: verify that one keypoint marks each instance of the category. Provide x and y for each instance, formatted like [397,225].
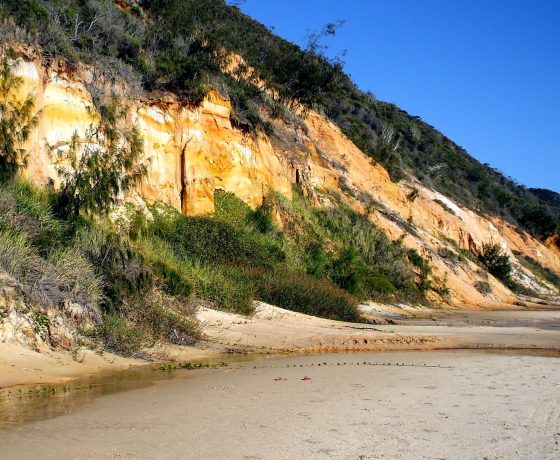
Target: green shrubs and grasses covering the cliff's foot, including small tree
[137,272]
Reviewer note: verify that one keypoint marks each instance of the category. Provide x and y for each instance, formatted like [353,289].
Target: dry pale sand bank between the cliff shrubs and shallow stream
[274,332]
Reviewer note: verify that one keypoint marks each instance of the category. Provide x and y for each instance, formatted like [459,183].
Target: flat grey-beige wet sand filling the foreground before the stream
[443,404]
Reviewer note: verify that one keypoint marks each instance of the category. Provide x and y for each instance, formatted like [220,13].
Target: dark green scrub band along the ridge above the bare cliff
[186,45]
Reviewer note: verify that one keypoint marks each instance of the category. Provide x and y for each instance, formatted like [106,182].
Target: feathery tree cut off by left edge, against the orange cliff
[16,118]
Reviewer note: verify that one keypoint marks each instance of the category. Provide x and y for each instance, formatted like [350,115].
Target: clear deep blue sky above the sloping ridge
[485,73]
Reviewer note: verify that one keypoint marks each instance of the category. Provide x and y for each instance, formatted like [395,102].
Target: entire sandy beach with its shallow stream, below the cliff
[300,387]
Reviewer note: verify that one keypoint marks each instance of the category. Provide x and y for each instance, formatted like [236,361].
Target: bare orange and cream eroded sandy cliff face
[193,151]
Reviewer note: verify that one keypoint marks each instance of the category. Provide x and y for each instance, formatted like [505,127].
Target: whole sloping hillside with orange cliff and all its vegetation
[258,171]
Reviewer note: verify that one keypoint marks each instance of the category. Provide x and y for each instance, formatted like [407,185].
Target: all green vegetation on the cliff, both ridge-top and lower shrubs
[140,272]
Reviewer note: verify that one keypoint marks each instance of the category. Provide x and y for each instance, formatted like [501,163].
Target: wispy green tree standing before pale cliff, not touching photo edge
[99,167]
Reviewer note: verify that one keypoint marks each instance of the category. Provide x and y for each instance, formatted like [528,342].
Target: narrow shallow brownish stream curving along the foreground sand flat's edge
[24,404]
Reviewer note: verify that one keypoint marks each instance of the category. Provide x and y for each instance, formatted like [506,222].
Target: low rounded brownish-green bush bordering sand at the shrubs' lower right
[305,294]
